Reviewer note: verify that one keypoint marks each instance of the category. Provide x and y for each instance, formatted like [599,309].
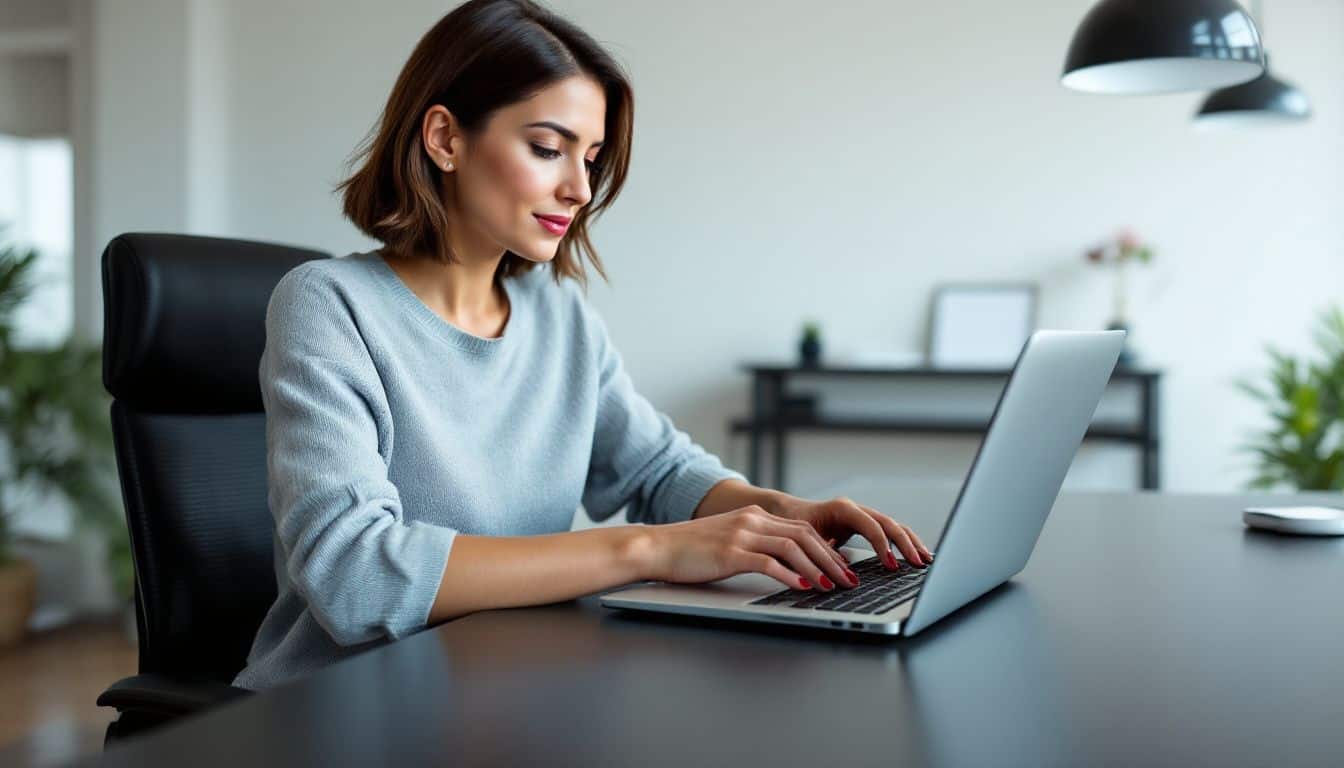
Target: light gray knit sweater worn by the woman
[389,431]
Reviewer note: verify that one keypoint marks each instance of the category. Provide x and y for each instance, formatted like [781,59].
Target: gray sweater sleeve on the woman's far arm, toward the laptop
[639,458]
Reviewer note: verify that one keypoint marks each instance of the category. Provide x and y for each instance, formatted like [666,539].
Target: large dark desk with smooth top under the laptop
[1147,630]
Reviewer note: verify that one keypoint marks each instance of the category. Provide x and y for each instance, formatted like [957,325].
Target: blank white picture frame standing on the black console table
[980,326]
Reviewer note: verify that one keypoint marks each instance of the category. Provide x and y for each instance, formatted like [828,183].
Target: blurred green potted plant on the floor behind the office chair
[54,436]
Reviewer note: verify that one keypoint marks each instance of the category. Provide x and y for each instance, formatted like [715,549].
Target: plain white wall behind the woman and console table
[798,159]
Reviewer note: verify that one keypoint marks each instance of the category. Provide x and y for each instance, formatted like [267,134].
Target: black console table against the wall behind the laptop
[769,418]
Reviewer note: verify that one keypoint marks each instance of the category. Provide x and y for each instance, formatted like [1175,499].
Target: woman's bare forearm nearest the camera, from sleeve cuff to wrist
[509,572]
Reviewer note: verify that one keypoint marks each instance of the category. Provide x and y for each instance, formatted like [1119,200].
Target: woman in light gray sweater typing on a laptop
[437,410]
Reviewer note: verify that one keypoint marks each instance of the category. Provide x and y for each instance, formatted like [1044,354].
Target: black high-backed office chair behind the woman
[183,334]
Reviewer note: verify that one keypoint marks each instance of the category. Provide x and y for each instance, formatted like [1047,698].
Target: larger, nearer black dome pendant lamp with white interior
[1163,46]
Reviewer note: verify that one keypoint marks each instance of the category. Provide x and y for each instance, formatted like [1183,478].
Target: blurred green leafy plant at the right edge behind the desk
[1304,446]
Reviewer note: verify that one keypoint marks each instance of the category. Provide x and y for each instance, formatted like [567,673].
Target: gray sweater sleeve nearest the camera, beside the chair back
[364,571]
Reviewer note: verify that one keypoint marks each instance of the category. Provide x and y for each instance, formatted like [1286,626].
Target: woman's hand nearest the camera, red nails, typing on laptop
[749,540]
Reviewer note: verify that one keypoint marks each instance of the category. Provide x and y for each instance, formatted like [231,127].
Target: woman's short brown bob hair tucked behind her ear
[483,56]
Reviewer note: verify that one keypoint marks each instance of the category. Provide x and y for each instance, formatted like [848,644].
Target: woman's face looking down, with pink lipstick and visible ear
[517,185]
